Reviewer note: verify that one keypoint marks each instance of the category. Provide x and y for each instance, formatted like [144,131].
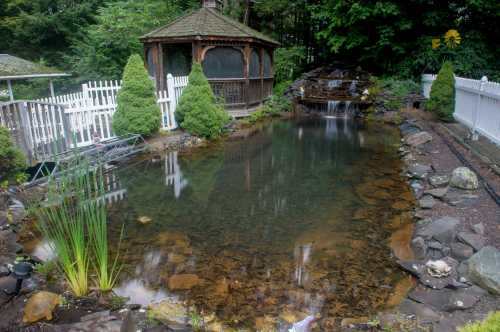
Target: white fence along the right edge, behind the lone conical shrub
[477,104]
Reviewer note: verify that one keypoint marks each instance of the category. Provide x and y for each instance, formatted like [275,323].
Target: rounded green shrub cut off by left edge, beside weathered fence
[12,160]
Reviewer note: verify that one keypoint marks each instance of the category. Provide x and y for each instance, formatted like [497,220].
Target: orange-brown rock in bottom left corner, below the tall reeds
[40,306]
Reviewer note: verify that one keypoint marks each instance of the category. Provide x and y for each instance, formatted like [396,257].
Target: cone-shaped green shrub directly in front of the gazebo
[198,110]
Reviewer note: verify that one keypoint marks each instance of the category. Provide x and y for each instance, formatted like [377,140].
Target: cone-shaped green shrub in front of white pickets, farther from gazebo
[137,111]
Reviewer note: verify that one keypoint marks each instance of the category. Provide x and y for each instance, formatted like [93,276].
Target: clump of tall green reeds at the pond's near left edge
[73,219]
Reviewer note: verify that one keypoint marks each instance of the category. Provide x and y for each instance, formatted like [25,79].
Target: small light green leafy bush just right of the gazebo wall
[288,63]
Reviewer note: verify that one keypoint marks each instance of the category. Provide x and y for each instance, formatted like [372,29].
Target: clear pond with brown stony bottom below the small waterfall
[298,219]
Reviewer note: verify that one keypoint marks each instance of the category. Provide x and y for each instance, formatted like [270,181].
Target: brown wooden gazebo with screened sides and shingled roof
[237,60]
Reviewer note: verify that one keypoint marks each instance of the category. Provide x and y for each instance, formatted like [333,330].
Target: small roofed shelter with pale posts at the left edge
[14,68]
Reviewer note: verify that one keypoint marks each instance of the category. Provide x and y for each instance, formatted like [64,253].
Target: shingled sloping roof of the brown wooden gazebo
[207,22]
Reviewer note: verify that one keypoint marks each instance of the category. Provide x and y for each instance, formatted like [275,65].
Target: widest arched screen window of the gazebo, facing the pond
[223,62]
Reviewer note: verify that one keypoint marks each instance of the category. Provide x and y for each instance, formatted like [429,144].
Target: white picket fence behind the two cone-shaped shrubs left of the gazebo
[90,111]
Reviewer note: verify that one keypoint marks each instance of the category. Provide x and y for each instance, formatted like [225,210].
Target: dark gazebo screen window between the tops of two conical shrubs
[177,59]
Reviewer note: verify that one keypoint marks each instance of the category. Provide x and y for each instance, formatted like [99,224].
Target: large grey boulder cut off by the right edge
[483,268]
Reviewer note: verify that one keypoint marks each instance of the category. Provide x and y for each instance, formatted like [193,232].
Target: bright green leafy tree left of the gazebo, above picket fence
[102,49]
